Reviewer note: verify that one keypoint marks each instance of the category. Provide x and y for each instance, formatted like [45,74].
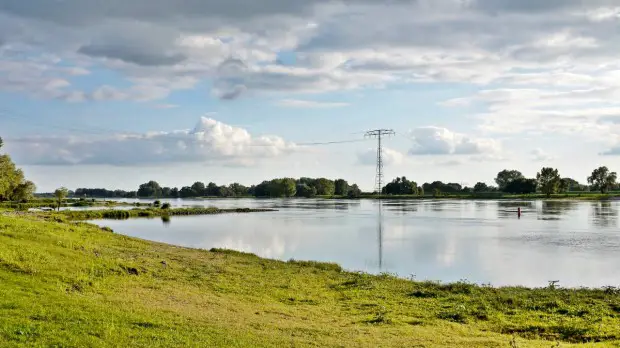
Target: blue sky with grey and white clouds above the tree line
[115,93]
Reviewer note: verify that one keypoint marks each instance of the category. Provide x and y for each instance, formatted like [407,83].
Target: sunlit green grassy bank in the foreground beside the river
[72,284]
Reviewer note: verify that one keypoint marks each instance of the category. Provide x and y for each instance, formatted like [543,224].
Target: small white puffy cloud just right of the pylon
[441,141]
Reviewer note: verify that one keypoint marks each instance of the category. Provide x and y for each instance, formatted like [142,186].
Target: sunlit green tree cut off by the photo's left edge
[13,185]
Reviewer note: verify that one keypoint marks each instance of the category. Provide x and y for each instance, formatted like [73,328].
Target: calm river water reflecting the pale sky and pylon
[575,243]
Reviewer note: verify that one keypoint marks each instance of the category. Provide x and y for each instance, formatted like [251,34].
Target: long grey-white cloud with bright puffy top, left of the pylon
[210,142]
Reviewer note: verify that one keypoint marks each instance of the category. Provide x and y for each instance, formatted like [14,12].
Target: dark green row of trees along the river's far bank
[547,181]
